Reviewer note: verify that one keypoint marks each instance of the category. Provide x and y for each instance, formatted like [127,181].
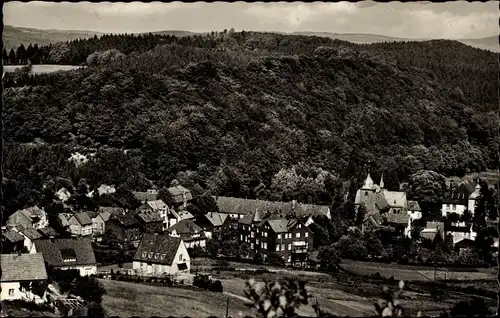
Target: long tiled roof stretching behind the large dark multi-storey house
[240,206]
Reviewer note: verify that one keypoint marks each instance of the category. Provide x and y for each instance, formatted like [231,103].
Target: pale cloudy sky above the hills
[448,20]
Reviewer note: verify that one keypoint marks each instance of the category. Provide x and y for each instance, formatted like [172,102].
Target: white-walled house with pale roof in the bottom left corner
[23,277]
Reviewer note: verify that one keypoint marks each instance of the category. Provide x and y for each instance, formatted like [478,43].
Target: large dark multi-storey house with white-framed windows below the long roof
[291,239]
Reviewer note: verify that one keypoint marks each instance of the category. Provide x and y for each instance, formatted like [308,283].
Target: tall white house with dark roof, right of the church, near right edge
[461,198]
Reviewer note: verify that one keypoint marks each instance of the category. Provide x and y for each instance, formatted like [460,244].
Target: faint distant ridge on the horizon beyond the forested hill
[14,36]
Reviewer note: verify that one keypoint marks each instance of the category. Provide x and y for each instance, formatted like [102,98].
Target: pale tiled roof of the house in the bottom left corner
[24,267]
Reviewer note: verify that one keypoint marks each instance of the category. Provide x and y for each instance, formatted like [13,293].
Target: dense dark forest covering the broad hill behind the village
[248,114]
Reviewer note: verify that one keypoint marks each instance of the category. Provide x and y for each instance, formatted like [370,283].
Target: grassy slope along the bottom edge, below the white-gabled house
[126,299]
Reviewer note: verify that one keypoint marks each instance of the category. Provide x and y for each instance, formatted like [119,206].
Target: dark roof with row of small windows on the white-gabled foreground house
[165,246]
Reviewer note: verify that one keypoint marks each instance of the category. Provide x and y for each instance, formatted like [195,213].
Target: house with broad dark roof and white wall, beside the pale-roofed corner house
[69,253]
